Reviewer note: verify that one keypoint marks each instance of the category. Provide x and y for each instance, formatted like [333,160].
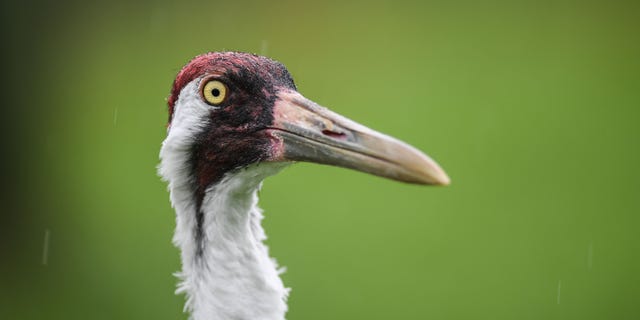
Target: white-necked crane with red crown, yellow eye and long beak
[234,119]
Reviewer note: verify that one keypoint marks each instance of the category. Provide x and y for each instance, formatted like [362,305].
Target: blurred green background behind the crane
[532,107]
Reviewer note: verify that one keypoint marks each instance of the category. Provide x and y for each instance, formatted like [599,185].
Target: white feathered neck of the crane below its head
[226,269]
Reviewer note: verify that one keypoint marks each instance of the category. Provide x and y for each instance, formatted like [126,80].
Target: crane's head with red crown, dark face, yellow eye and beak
[230,110]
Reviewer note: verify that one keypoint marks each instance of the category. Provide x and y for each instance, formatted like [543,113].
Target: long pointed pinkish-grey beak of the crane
[306,131]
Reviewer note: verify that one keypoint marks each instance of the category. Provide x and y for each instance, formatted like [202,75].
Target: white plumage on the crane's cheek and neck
[236,278]
